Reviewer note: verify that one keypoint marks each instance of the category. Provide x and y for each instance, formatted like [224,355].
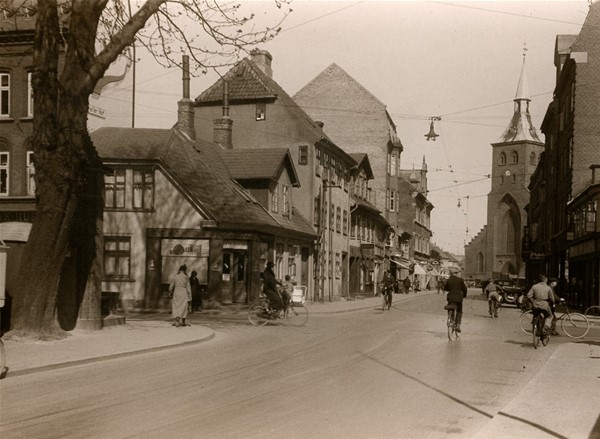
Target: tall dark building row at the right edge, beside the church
[563,224]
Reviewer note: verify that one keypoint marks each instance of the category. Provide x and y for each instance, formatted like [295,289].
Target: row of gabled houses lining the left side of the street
[247,174]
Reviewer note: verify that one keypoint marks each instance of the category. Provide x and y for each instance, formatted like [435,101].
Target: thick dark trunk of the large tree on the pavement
[68,180]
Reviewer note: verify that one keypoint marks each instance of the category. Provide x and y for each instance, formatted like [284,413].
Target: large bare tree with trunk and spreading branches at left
[91,34]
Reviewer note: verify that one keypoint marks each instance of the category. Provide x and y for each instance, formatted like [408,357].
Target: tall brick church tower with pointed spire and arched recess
[514,159]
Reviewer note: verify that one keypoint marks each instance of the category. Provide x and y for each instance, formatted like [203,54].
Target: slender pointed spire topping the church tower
[521,128]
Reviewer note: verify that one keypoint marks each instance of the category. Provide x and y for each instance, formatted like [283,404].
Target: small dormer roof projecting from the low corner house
[259,164]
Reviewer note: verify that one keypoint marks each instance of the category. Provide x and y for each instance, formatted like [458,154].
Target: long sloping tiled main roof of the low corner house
[198,171]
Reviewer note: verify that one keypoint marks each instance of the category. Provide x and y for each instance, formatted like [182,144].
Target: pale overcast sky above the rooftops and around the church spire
[457,60]
